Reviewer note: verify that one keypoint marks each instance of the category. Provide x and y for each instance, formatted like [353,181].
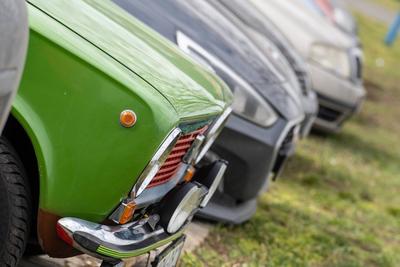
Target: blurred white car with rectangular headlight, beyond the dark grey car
[334,59]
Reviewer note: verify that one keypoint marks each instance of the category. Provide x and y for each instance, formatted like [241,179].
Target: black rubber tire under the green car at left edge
[15,202]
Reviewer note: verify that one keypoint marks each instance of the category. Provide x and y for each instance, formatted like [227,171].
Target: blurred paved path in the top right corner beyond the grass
[371,9]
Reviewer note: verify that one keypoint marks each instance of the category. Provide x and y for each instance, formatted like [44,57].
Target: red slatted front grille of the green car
[174,159]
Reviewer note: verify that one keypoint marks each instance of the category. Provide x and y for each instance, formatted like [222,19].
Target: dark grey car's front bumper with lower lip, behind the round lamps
[254,154]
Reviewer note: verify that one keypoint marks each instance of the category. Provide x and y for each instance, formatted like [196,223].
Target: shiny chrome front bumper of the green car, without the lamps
[114,242]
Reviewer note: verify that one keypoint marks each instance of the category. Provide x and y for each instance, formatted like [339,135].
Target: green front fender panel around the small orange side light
[69,102]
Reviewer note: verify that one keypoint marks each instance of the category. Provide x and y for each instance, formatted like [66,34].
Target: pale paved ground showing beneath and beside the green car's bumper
[197,232]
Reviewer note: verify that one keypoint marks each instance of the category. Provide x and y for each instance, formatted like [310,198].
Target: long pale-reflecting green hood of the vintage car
[192,90]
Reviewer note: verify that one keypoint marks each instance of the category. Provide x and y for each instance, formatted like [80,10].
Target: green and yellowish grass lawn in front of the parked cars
[338,202]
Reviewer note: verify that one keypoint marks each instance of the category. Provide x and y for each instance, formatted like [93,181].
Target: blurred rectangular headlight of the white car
[331,58]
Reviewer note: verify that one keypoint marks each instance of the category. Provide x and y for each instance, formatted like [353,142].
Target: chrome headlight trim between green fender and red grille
[155,163]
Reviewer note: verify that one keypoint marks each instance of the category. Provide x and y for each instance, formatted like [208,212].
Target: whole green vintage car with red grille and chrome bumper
[100,154]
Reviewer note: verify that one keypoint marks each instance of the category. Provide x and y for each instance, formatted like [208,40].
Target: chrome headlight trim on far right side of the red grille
[213,133]
